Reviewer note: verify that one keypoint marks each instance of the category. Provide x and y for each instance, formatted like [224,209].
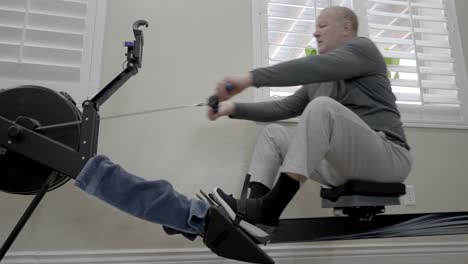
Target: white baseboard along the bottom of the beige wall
[389,253]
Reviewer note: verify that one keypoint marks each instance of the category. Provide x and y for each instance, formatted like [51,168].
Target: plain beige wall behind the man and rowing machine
[189,45]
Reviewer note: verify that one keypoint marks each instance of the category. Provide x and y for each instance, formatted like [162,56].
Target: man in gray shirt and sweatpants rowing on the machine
[349,128]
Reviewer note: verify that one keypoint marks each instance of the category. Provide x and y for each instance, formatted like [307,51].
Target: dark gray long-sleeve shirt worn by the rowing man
[354,74]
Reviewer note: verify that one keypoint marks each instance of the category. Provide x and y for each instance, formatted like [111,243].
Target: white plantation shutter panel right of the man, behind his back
[416,34]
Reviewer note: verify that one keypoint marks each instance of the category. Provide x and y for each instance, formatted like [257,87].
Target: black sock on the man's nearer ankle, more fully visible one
[275,201]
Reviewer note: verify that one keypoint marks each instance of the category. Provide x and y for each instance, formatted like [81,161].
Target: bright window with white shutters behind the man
[418,38]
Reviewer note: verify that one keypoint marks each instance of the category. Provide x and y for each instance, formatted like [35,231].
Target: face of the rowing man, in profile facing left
[330,33]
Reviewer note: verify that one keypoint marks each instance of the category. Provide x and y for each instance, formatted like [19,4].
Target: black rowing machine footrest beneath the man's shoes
[228,241]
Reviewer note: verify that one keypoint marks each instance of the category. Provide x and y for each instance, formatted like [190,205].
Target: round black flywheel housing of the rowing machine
[42,107]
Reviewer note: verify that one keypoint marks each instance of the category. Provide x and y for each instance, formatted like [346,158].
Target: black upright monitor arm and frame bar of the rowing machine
[61,158]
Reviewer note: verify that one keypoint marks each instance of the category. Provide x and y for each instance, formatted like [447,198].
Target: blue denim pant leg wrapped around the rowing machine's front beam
[154,201]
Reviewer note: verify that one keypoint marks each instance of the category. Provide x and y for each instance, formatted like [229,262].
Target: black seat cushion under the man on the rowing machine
[363,188]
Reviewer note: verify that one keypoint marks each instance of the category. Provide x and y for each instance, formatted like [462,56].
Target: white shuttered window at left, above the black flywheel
[52,43]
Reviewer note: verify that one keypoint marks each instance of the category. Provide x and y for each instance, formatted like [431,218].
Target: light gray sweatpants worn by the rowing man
[330,145]
